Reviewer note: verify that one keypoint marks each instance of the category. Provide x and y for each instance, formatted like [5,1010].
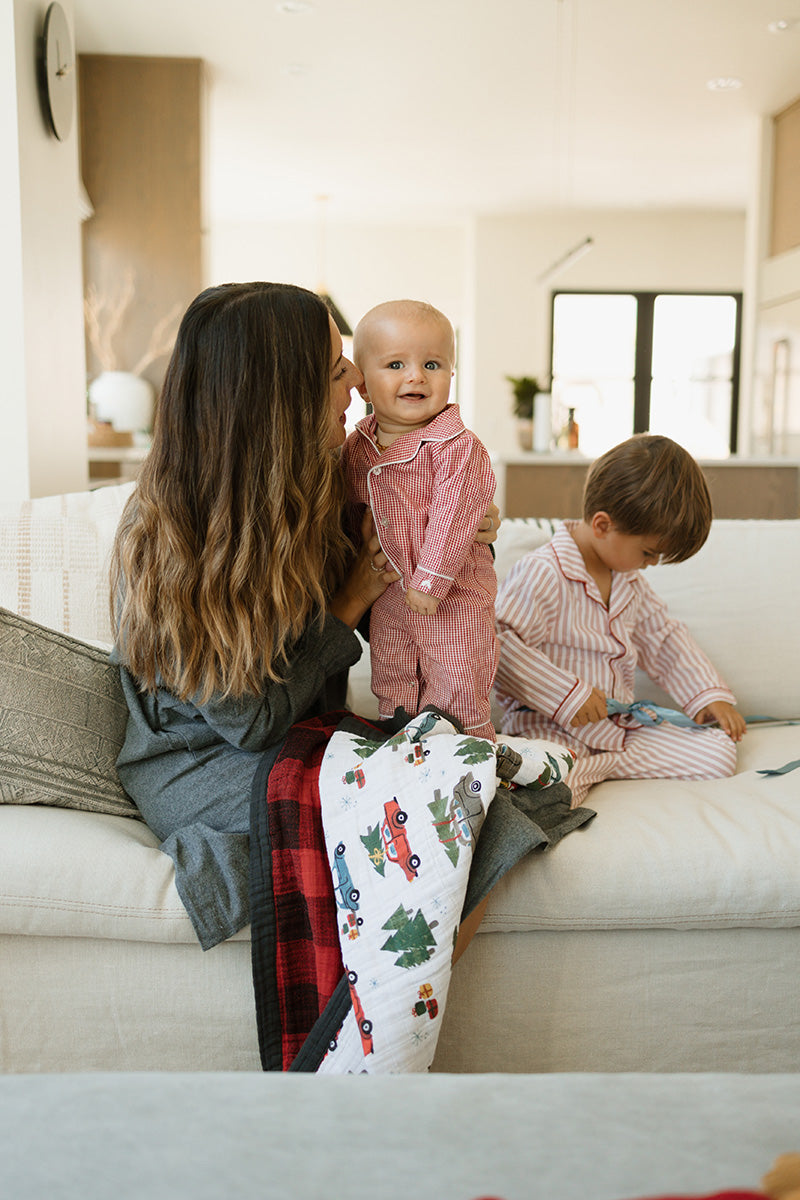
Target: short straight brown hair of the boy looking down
[651,487]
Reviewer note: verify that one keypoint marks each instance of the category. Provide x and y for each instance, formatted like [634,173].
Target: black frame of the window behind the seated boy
[646,304]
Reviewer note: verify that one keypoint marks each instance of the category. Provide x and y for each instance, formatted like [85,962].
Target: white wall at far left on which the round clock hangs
[44,445]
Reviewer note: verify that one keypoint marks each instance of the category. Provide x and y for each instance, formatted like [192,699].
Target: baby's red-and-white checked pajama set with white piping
[428,493]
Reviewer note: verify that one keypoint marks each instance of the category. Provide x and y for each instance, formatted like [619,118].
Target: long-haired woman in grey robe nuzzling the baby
[236,591]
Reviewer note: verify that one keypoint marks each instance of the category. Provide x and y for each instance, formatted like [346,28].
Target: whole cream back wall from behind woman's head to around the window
[484,277]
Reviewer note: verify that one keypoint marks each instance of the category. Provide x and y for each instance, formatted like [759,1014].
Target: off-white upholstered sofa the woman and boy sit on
[663,938]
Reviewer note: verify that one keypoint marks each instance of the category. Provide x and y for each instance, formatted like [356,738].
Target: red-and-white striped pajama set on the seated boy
[558,640]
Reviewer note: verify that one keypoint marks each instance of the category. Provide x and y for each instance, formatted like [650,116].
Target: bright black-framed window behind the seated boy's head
[647,362]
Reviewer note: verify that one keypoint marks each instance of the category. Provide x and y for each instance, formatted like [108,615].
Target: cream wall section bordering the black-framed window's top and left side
[669,251]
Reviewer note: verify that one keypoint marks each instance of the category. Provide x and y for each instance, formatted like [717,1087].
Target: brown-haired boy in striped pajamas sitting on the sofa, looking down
[576,617]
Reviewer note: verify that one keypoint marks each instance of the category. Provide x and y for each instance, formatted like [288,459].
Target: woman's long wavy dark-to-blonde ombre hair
[232,542]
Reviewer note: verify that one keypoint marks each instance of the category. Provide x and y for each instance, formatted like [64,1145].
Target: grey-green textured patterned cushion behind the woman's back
[63,719]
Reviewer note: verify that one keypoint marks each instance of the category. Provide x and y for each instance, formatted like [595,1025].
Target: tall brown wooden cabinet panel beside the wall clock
[141,142]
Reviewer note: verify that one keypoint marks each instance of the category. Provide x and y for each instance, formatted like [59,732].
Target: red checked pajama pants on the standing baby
[447,661]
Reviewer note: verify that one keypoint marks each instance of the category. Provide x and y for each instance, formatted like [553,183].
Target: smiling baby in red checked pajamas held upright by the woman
[429,483]
